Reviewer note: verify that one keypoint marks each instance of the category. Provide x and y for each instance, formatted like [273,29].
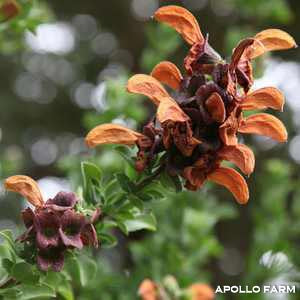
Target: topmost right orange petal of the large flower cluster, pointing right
[273,39]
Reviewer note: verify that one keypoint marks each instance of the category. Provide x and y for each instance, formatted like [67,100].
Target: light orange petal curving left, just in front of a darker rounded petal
[148,86]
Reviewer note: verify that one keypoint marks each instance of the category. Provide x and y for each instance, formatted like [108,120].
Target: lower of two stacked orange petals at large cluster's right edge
[264,124]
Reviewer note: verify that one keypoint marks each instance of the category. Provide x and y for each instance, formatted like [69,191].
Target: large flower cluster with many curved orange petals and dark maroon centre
[197,128]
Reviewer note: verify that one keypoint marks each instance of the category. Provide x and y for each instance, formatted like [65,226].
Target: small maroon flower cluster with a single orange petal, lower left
[53,226]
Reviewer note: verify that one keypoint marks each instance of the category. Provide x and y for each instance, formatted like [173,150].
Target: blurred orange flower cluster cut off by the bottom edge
[150,290]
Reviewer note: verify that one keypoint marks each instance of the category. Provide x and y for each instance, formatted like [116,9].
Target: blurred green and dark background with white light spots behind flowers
[70,75]
